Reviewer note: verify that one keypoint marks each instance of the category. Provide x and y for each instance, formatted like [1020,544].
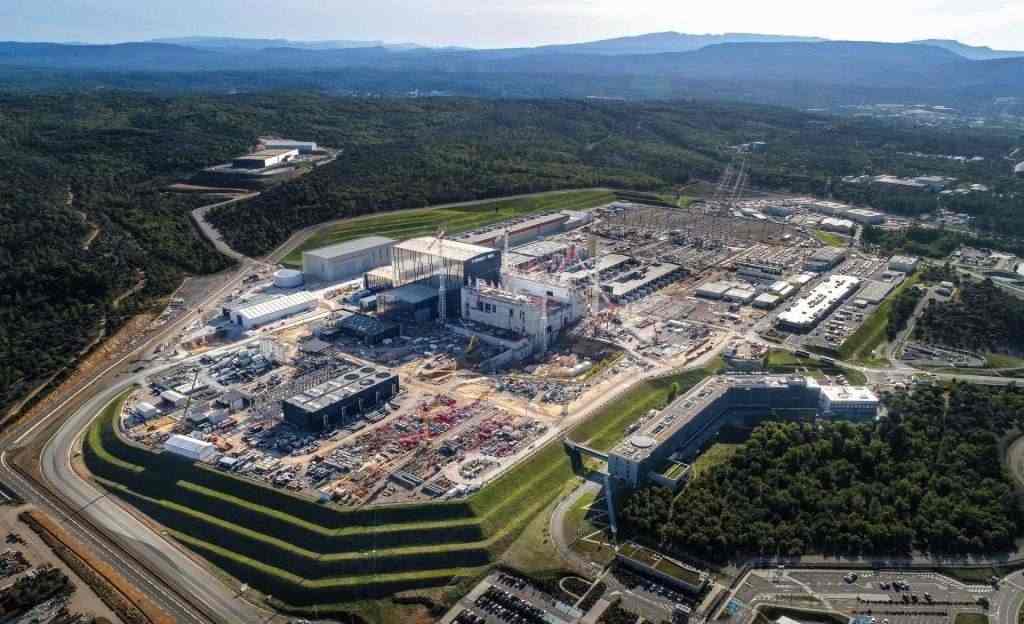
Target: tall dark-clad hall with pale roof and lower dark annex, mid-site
[425,269]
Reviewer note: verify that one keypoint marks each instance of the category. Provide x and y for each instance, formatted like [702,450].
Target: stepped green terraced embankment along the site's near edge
[304,553]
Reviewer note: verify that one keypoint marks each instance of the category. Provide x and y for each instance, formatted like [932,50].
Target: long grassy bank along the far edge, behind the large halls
[423,222]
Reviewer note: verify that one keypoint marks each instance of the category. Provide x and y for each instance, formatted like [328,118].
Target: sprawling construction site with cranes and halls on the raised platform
[391,371]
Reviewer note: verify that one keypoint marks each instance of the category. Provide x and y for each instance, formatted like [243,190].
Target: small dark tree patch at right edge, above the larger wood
[982,318]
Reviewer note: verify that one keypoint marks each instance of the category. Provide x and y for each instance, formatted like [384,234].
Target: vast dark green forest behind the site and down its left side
[86,220]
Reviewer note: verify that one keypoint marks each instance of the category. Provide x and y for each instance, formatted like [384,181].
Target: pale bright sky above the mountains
[998,24]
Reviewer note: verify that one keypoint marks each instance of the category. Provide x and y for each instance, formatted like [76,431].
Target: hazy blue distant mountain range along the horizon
[797,71]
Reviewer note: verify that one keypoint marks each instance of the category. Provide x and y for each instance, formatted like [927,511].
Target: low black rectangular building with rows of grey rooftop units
[343,400]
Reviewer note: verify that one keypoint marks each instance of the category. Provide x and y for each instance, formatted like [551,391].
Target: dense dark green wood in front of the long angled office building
[925,479]
